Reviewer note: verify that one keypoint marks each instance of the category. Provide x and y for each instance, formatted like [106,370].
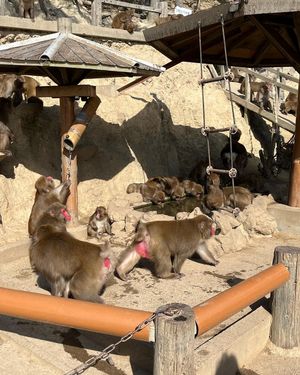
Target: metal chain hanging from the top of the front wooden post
[104,354]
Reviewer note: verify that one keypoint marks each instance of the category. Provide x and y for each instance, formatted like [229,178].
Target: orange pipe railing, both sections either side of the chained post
[119,321]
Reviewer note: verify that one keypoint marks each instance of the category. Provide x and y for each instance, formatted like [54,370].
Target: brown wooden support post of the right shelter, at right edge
[294,192]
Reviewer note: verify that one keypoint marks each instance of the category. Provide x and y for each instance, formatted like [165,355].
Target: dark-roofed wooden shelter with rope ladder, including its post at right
[258,34]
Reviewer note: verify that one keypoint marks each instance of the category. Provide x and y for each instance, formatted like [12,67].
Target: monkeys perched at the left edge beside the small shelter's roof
[12,90]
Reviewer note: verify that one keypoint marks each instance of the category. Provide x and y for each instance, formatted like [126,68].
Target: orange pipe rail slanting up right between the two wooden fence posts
[219,308]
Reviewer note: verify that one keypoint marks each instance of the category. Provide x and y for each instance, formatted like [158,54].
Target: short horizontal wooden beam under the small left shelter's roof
[65,91]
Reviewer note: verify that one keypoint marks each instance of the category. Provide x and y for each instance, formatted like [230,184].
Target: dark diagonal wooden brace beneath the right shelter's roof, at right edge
[276,39]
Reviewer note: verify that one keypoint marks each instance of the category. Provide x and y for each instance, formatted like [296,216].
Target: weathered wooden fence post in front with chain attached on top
[174,342]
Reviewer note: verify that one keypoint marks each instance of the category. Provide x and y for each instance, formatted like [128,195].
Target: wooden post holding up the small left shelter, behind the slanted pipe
[69,166]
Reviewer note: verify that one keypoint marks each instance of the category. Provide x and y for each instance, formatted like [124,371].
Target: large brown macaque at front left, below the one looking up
[69,265]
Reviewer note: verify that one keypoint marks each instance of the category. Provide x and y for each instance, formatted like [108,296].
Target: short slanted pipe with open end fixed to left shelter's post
[81,121]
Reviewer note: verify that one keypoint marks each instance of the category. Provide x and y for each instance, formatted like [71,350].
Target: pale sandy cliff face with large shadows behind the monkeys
[150,129]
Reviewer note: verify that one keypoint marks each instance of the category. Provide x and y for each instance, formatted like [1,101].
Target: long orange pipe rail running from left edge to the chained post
[110,320]
